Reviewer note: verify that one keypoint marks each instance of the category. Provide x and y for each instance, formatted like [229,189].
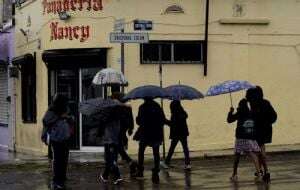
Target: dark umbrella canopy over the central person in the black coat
[147,91]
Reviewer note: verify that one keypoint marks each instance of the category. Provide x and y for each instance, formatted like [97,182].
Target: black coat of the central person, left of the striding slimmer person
[150,119]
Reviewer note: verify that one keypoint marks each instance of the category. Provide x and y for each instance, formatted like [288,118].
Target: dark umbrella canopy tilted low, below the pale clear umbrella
[96,105]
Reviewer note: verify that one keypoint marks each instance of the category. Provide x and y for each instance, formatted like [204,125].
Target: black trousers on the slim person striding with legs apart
[173,145]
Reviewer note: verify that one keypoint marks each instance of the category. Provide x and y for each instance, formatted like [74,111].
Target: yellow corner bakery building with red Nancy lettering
[61,44]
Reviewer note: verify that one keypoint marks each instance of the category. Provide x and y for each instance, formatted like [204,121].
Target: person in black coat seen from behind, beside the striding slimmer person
[150,119]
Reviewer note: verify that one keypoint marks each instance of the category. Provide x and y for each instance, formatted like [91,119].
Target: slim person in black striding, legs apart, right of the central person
[178,132]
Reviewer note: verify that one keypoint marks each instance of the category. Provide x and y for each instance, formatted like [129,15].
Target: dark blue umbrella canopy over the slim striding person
[183,92]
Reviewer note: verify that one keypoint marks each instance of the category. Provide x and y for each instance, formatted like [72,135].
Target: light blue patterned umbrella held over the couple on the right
[228,87]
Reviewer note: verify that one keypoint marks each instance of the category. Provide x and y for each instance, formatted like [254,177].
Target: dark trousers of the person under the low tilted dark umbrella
[111,158]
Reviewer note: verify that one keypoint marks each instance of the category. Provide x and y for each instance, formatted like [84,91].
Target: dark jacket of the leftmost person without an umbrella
[57,127]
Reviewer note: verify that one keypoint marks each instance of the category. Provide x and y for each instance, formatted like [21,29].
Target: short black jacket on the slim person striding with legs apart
[178,125]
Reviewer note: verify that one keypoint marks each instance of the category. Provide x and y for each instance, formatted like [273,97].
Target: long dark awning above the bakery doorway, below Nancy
[70,58]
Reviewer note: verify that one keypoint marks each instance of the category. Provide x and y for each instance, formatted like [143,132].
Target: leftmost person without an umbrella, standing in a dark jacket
[57,131]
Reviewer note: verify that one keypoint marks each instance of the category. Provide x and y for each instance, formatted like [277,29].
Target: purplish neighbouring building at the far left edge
[6,54]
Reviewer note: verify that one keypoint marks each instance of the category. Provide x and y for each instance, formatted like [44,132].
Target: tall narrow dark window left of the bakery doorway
[28,77]
